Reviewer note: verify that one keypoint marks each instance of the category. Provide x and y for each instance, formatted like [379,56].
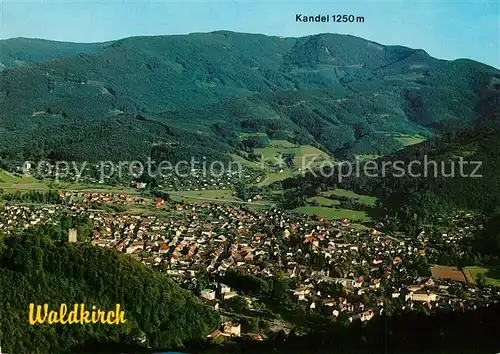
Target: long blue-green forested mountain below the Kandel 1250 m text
[337,92]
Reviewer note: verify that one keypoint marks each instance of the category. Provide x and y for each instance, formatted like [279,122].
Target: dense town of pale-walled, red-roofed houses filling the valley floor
[345,272]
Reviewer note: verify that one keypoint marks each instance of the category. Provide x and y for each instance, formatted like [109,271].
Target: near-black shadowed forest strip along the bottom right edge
[444,333]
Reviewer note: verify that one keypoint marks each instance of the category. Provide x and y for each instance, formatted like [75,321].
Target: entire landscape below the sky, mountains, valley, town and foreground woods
[240,234]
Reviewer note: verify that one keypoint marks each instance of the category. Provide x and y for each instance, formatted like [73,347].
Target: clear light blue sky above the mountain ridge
[444,29]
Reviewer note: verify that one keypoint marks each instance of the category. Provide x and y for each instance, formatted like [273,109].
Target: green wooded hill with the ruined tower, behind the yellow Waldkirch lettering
[38,266]
